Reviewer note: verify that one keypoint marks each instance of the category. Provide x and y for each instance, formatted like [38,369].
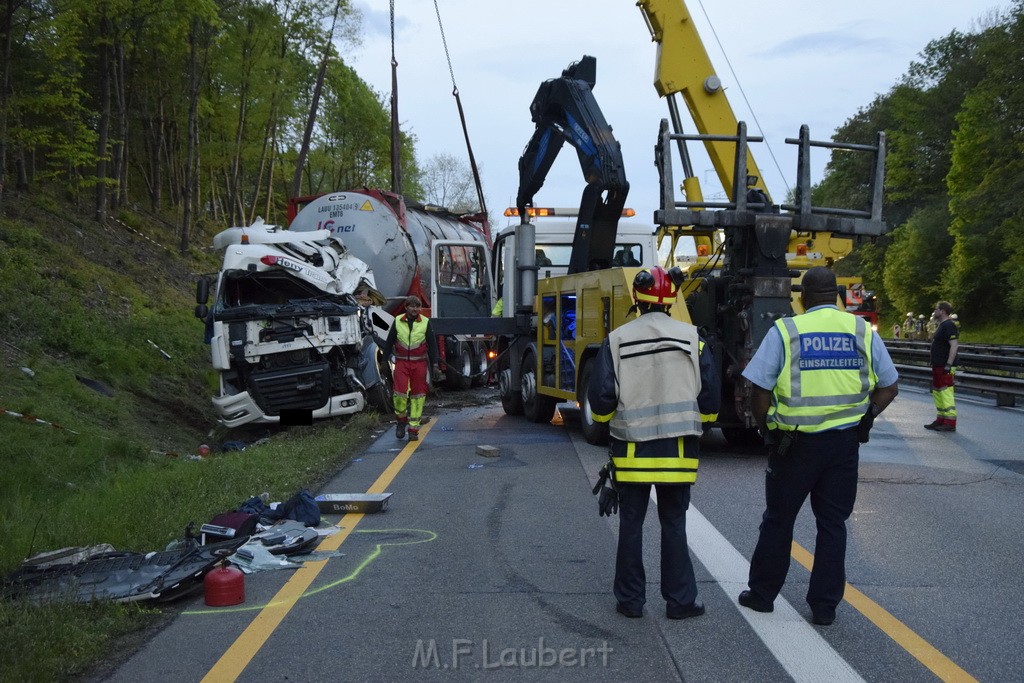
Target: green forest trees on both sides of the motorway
[198,110]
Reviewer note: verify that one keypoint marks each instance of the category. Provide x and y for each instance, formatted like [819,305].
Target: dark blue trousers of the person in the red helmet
[678,584]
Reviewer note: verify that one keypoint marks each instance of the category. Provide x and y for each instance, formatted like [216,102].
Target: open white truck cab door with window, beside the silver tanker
[462,279]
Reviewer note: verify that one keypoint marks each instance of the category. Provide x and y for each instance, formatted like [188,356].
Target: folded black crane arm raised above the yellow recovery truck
[565,110]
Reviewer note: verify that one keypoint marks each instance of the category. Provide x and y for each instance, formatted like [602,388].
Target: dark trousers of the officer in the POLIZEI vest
[824,466]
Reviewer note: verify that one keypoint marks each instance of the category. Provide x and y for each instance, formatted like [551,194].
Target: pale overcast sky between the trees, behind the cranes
[793,62]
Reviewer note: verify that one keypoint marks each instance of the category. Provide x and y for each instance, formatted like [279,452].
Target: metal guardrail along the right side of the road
[984,368]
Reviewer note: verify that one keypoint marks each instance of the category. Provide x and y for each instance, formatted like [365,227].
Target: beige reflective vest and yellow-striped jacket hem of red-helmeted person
[656,358]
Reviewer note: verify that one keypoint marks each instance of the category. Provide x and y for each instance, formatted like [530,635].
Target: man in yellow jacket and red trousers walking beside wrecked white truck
[414,344]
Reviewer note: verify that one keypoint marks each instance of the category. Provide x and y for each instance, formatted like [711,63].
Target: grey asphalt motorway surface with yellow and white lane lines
[501,568]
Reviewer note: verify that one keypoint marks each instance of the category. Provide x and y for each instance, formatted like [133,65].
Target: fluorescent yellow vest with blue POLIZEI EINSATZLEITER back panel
[827,375]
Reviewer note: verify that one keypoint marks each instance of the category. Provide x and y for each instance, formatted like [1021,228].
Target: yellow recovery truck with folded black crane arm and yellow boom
[755,250]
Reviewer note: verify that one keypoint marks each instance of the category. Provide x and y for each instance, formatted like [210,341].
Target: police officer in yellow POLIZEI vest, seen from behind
[820,380]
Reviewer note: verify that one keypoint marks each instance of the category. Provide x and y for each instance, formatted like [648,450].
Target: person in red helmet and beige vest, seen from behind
[655,383]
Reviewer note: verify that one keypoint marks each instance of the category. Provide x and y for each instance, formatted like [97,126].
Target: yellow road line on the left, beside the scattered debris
[238,657]
